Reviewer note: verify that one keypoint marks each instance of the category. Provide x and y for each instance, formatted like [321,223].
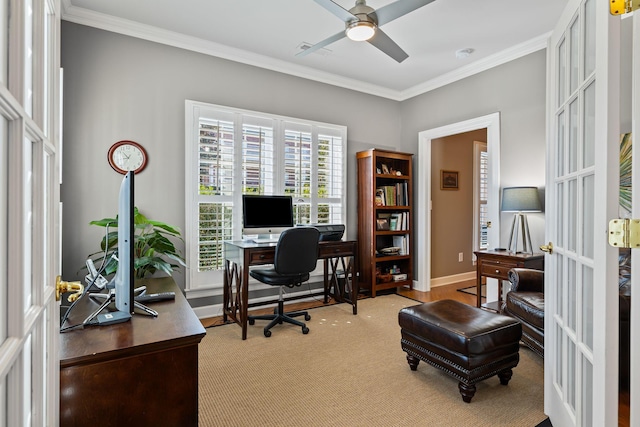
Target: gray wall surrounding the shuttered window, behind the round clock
[117,87]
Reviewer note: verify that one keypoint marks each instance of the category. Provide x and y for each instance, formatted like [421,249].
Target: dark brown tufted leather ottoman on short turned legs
[468,343]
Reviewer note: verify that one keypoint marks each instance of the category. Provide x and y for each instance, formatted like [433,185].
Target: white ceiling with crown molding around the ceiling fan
[268,33]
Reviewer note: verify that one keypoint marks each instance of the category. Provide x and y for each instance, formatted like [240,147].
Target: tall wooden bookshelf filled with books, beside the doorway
[385,215]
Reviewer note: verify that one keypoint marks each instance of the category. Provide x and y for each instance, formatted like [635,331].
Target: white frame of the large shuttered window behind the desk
[205,281]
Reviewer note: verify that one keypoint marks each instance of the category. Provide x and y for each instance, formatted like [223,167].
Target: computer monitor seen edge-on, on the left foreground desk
[123,281]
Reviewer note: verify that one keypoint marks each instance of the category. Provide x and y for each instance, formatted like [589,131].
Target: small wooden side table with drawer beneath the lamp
[496,264]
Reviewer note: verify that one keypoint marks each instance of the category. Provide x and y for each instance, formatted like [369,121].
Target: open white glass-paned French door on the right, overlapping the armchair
[581,304]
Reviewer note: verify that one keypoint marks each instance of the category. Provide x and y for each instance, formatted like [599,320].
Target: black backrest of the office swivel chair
[297,251]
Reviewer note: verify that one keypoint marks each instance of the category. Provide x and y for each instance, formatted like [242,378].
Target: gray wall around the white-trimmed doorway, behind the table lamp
[517,91]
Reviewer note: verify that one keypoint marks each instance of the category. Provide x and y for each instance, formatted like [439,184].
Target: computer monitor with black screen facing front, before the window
[266,215]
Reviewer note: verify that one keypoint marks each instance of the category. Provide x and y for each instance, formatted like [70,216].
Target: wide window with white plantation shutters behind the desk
[230,152]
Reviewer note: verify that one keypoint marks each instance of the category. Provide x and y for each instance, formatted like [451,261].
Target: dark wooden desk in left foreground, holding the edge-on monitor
[142,372]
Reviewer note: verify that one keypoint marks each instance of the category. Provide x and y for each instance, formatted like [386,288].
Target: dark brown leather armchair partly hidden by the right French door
[525,302]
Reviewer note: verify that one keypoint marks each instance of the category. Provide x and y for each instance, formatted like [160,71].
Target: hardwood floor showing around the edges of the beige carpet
[437,293]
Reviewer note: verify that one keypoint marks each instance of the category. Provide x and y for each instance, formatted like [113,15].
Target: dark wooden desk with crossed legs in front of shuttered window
[339,272]
